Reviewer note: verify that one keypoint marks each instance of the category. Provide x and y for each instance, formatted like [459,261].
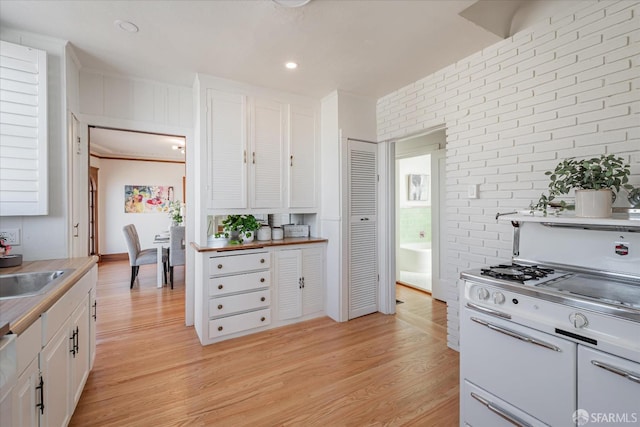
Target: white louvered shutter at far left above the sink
[23,131]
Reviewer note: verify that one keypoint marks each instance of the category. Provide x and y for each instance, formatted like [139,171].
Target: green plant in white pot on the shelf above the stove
[593,181]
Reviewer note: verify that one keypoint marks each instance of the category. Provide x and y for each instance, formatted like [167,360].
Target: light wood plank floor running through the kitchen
[377,370]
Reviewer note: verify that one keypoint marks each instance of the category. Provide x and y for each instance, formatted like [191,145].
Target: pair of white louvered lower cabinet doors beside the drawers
[300,279]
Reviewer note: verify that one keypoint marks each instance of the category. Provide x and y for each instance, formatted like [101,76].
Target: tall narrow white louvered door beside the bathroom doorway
[363,252]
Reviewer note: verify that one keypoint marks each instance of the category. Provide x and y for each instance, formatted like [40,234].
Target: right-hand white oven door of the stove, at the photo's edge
[608,384]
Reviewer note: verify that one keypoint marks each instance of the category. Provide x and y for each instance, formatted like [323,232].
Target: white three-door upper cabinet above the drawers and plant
[261,154]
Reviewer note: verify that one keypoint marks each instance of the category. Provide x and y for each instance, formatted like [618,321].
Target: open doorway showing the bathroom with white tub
[419,189]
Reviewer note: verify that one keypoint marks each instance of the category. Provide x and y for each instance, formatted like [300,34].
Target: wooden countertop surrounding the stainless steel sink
[20,313]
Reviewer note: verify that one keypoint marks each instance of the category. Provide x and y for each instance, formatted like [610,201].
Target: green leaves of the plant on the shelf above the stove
[598,173]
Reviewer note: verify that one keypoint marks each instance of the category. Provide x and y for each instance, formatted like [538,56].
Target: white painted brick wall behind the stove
[569,86]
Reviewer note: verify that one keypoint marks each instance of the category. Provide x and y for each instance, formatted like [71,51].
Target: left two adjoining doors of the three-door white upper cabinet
[245,138]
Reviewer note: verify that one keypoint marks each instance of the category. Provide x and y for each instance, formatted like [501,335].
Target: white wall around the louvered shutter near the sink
[46,236]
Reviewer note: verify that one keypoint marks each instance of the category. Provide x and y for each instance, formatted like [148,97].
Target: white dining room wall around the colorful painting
[112,177]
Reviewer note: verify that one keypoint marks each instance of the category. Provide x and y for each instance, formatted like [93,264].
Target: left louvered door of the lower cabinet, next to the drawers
[289,274]
